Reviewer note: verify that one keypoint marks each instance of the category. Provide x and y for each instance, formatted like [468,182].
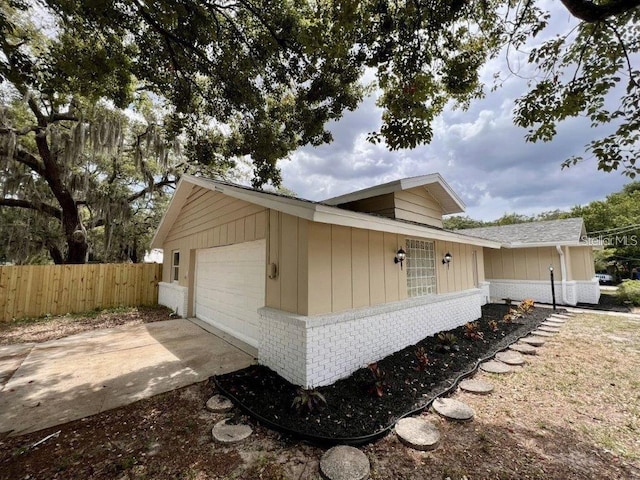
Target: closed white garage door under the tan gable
[230,288]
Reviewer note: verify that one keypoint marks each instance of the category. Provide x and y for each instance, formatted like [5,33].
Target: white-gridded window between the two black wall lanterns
[421,267]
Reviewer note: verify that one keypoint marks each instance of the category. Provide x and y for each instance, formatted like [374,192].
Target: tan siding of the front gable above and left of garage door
[211,219]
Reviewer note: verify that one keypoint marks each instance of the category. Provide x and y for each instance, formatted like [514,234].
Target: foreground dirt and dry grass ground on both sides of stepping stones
[570,413]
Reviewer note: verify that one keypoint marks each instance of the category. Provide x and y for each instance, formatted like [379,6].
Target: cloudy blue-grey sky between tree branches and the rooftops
[480,153]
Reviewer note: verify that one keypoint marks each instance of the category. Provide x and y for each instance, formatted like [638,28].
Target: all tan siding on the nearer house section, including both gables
[321,268]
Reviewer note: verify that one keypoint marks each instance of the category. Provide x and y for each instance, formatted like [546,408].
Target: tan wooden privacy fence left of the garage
[36,290]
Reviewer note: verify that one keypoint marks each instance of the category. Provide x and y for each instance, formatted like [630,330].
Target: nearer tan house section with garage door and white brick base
[313,289]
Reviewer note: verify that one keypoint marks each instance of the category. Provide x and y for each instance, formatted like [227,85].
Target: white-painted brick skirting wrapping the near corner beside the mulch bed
[318,350]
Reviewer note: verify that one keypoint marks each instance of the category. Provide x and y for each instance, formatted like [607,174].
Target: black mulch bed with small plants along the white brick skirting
[353,409]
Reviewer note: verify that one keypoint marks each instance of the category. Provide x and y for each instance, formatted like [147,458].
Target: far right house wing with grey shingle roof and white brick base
[520,269]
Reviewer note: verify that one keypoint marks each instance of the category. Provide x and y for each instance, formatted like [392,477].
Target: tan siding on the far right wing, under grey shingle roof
[533,263]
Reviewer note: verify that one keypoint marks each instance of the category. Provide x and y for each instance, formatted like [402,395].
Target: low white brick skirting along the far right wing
[540,291]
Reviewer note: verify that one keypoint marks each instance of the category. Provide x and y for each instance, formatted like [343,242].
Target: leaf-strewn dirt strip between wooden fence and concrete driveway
[43,329]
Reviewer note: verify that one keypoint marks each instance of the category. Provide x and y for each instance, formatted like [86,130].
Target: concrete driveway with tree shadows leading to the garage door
[47,384]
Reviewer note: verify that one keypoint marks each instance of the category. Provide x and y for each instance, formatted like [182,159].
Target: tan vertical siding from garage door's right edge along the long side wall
[329,268]
